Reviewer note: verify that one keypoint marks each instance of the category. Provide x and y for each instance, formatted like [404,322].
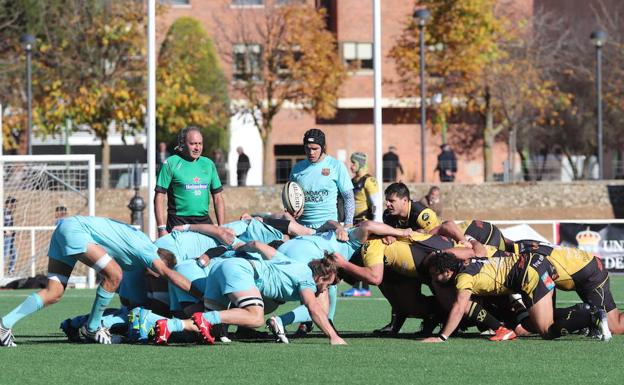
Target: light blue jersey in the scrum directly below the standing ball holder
[306,248]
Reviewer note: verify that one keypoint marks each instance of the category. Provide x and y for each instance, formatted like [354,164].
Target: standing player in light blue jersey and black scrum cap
[322,177]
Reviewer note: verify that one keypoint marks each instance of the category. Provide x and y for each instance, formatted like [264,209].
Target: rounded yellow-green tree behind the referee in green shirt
[193,88]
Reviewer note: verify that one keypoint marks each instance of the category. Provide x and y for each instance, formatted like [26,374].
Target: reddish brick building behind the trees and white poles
[352,128]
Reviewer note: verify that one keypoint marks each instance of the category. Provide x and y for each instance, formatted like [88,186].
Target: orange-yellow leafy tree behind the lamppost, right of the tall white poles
[462,37]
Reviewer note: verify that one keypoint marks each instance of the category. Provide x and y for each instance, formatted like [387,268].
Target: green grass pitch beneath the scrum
[43,355]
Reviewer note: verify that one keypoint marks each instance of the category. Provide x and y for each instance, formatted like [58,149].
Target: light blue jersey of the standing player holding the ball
[321,183]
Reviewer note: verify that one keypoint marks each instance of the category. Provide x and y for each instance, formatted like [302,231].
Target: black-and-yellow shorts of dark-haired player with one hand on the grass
[532,288]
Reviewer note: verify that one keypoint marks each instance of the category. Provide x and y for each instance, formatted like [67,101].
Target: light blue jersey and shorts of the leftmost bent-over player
[129,247]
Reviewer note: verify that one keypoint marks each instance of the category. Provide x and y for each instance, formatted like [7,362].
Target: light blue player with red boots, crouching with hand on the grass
[245,283]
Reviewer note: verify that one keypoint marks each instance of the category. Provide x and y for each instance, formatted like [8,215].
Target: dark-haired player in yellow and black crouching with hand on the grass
[529,274]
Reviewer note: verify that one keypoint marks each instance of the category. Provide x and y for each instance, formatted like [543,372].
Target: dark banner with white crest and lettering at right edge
[605,241]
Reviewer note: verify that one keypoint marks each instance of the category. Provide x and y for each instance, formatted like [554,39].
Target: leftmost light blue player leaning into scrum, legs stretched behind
[107,246]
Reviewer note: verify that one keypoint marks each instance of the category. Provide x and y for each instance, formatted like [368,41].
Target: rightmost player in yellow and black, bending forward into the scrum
[582,272]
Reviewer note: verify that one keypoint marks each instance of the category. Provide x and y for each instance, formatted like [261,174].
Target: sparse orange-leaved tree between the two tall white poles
[284,54]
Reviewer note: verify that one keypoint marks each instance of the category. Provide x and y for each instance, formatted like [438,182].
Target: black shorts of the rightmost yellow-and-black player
[593,286]
